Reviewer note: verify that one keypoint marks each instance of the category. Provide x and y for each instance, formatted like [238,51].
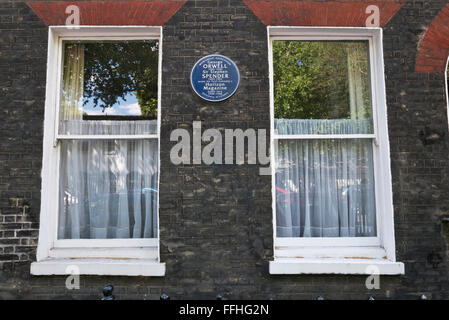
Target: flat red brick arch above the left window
[154,13]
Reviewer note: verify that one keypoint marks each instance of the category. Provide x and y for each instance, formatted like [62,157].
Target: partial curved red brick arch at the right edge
[433,49]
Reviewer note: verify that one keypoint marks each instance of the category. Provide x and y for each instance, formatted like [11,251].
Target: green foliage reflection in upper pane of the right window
[317,87]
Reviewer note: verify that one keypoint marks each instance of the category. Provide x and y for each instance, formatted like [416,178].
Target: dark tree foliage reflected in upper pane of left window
[112,70]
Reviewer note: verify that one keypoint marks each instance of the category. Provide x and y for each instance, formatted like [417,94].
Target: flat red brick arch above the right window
[347,13]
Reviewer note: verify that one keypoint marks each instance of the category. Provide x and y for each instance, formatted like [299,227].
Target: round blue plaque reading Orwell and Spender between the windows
[215,78]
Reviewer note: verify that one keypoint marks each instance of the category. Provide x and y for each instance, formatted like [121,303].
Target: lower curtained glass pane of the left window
[108,189]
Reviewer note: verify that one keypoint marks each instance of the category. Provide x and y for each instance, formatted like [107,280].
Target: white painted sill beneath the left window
[101,267]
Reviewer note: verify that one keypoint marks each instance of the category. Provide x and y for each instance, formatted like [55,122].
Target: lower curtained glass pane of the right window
[325,188]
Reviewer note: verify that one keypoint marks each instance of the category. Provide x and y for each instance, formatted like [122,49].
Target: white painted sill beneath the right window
[336,266]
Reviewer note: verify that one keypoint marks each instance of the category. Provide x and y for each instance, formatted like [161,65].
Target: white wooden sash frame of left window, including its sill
[133,257]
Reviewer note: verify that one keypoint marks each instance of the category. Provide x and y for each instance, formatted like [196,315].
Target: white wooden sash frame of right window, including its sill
[341,255]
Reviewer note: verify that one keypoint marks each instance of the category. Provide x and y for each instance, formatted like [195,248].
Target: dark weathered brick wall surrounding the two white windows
[216,221]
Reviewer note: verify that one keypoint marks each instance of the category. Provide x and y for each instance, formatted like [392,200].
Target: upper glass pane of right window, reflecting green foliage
[322,87]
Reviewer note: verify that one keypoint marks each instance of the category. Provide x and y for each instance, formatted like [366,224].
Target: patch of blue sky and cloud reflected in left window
[127,107]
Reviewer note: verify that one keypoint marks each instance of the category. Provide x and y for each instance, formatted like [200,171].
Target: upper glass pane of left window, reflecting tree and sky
[106,86]
